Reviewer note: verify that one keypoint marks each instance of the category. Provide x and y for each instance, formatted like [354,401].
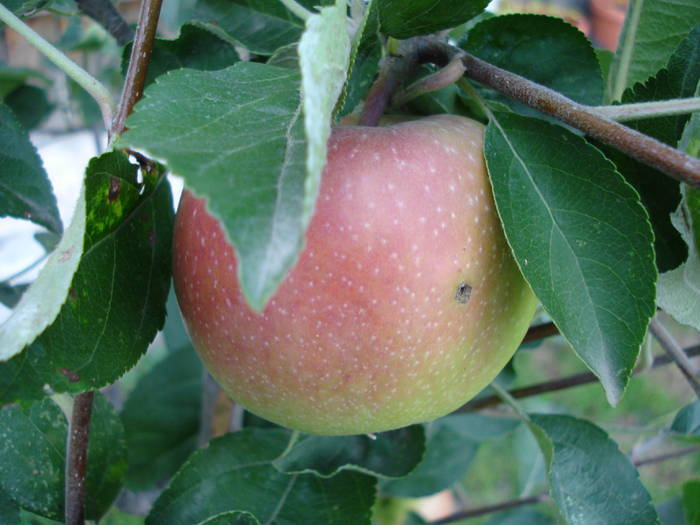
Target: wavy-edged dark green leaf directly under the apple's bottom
[388,454]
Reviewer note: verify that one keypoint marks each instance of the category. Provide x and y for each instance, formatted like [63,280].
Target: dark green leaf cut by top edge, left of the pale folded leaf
[261,26]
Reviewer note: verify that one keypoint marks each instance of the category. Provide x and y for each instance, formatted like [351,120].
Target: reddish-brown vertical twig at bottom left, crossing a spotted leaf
[76,459]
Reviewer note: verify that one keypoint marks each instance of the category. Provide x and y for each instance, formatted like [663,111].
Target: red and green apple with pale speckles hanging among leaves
[372,329]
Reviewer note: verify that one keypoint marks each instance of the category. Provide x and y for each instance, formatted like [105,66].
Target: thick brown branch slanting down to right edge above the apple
[650,151]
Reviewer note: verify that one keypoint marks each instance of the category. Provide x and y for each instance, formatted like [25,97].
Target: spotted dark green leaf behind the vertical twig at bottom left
[32,457]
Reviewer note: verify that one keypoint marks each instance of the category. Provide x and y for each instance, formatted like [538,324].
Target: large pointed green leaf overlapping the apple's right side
[580,237]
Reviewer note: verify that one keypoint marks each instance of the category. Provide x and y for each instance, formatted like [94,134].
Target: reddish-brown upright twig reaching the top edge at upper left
[138,63]
